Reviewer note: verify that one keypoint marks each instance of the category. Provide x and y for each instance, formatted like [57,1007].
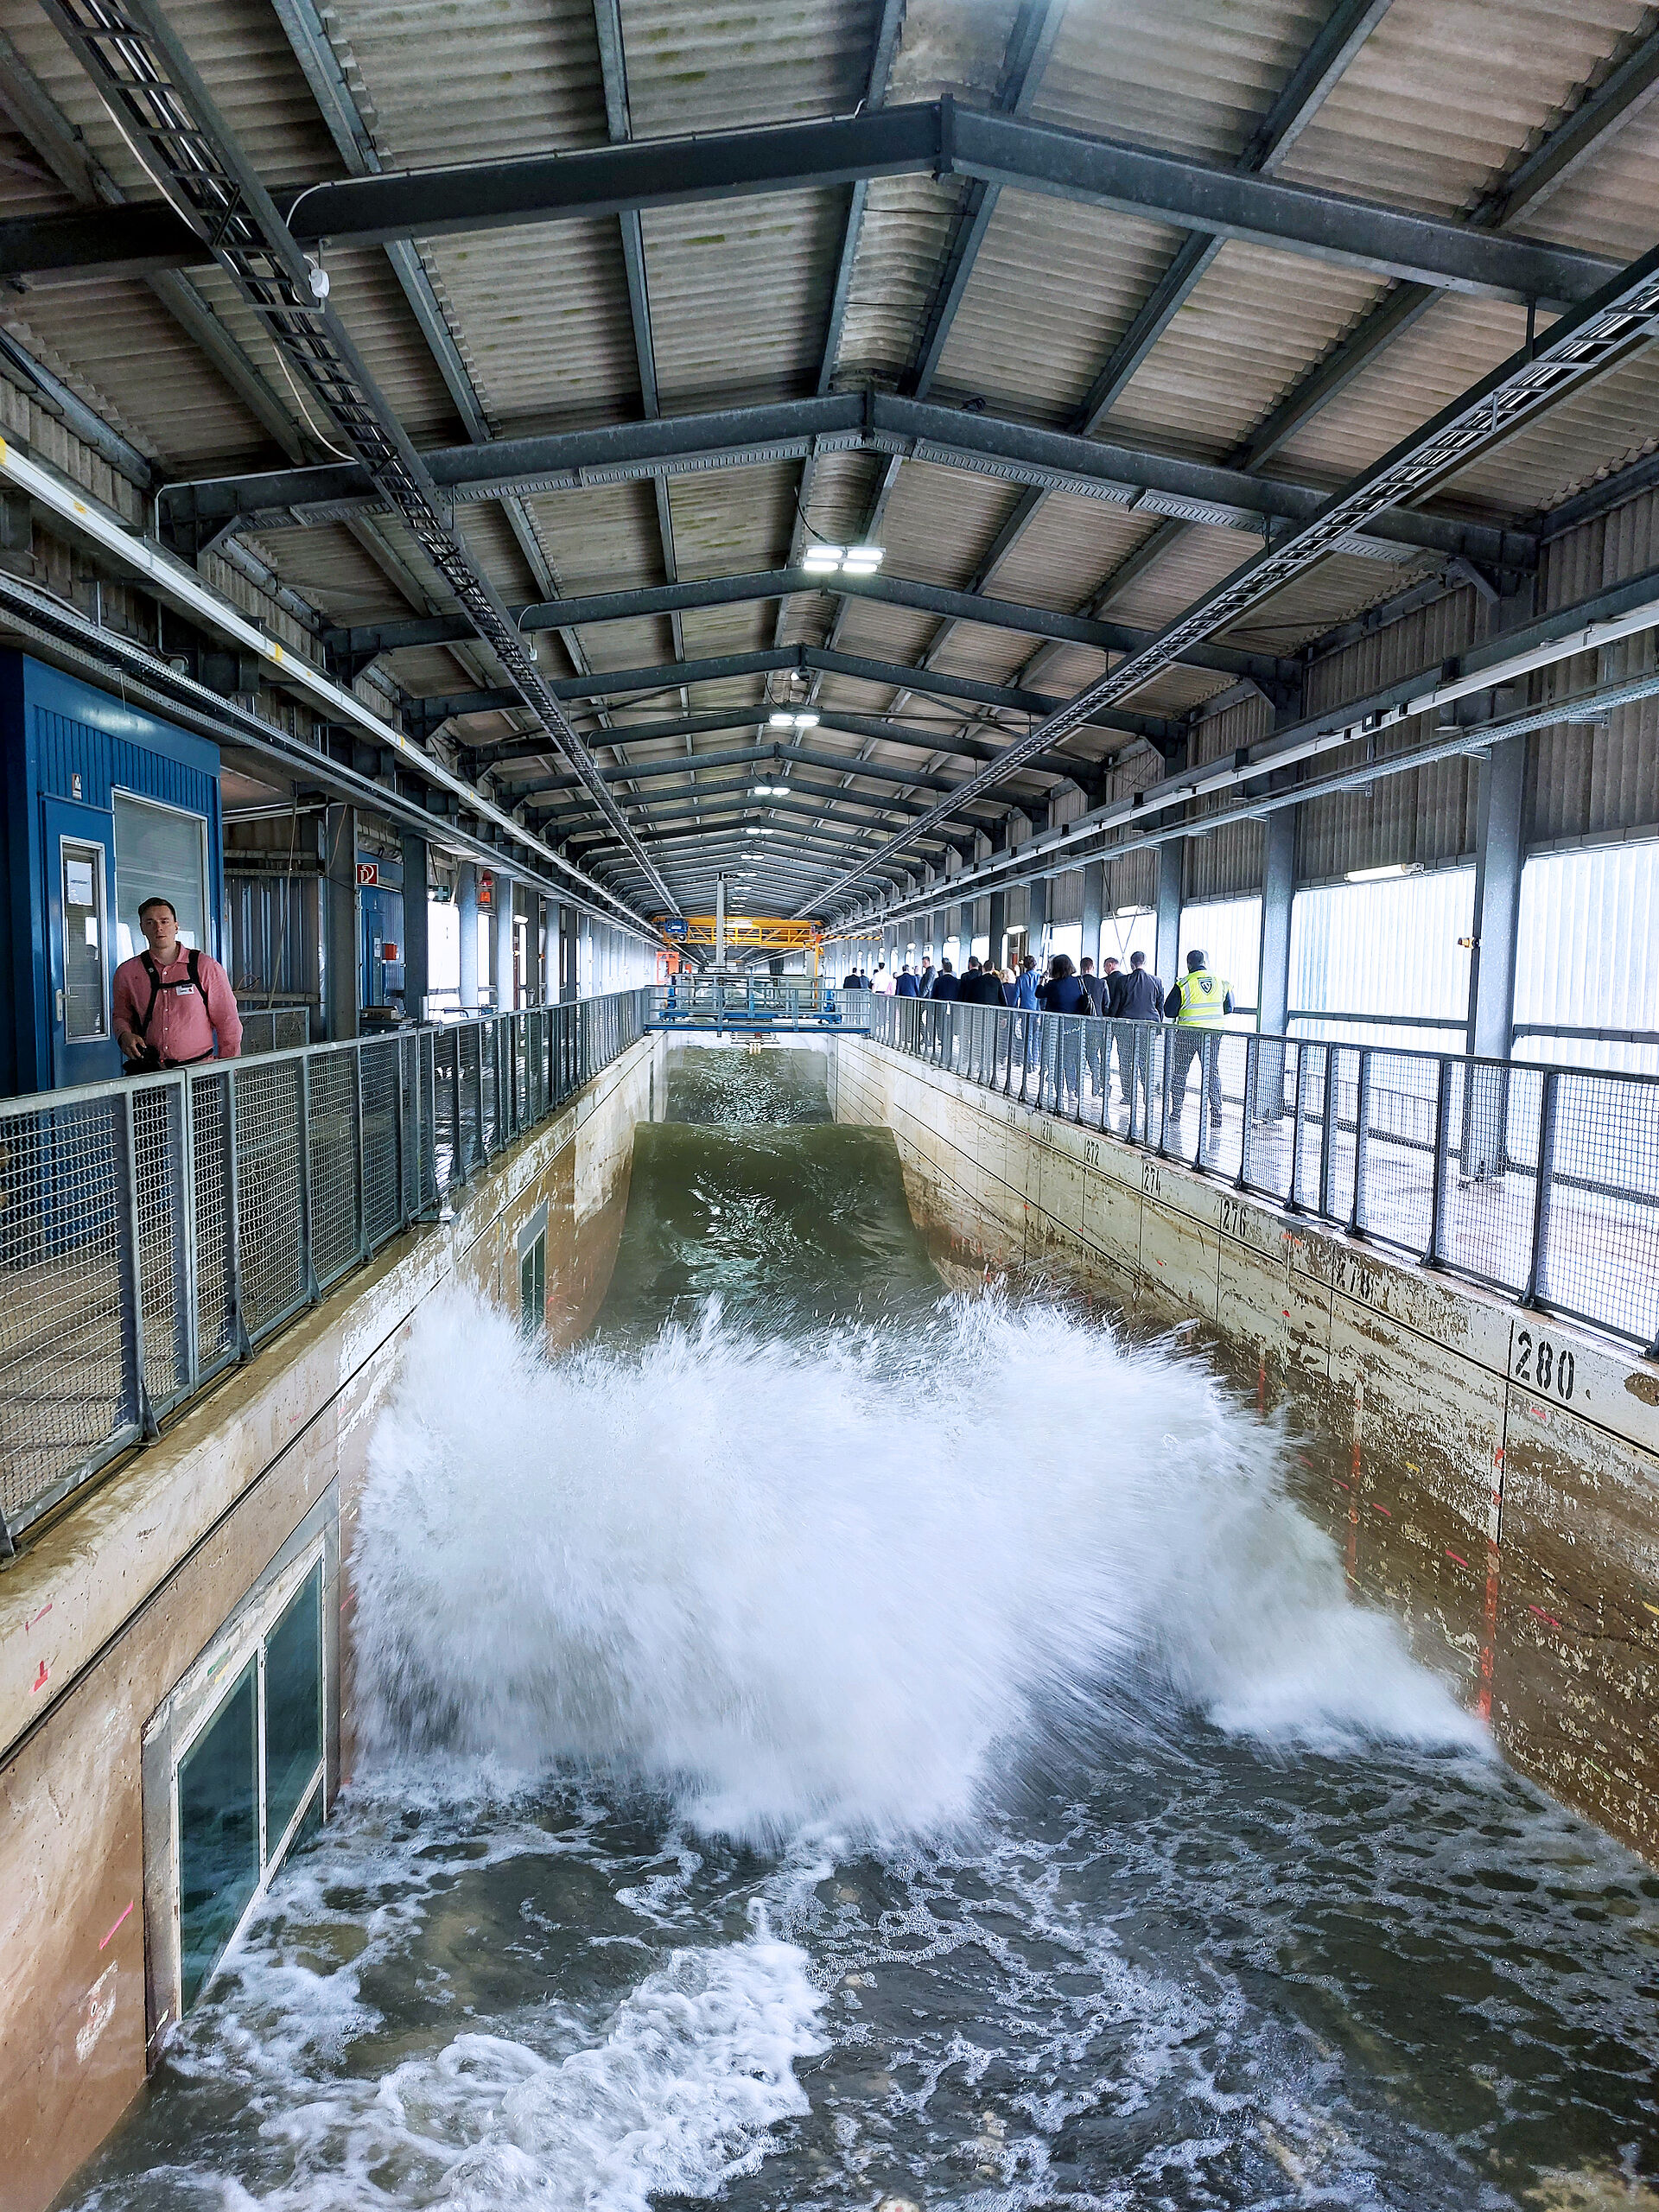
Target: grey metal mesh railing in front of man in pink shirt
[154,1231]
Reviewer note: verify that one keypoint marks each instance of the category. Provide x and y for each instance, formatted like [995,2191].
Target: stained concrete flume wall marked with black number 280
[1492,1474]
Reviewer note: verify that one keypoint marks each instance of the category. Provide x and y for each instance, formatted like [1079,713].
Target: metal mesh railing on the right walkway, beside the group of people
[1536,1182]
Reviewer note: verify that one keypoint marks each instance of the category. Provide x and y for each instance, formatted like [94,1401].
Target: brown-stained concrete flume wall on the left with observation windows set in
[112,1605]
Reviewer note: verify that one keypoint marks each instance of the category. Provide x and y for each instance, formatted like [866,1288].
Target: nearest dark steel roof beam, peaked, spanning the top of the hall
[941,138]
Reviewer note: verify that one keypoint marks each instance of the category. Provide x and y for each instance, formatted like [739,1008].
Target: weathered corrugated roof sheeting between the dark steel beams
[1441,103]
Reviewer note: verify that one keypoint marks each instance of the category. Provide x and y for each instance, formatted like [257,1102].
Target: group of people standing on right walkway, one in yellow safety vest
[1120,992]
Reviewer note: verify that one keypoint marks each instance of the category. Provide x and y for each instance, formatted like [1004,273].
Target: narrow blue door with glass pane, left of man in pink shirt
[81,966]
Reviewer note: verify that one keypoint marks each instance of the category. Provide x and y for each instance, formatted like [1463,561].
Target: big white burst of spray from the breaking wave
[844,1583]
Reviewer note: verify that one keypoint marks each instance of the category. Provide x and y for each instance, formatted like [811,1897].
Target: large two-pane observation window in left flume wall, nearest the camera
[244,1777]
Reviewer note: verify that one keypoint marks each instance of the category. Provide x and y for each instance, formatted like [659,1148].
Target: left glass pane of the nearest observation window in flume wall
[218,1833]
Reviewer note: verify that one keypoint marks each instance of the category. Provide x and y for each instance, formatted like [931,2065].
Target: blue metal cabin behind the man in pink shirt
[103,806]
